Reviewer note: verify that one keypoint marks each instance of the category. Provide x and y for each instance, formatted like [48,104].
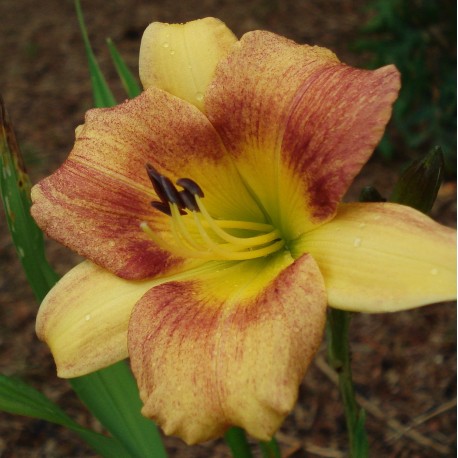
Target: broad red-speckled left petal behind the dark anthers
[95,202]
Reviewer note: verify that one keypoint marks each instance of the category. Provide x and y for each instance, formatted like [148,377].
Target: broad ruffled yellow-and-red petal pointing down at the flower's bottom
[227,348]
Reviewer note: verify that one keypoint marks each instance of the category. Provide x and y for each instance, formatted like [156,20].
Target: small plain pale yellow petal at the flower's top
[181,58]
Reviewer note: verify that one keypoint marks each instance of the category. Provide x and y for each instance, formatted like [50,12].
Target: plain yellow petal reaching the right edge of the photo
[382,257]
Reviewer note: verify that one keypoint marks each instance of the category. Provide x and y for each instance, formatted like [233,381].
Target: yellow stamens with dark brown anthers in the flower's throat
[196,234]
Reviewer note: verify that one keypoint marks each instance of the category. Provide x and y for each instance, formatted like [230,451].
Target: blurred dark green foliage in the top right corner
[419,37]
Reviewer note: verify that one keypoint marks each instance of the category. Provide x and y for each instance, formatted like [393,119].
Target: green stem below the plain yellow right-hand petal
[340,360]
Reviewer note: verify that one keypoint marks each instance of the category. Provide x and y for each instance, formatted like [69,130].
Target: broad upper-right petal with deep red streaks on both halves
[299,123]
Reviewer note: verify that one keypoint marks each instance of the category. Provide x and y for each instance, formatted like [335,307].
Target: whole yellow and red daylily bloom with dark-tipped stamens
[209,211]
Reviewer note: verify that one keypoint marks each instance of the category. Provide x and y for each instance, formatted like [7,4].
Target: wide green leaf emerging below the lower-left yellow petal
[112,396]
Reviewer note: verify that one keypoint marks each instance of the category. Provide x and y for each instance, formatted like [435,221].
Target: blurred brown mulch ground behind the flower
[404,363]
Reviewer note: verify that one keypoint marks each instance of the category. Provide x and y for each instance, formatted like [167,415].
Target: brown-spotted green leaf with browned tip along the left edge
[15,192]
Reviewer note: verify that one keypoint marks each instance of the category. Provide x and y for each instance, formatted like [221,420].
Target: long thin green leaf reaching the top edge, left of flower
[103,97]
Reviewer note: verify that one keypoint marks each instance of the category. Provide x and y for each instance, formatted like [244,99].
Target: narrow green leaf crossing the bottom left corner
[17,397]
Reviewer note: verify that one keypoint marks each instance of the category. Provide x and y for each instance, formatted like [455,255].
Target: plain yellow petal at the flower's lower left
[84,319]
